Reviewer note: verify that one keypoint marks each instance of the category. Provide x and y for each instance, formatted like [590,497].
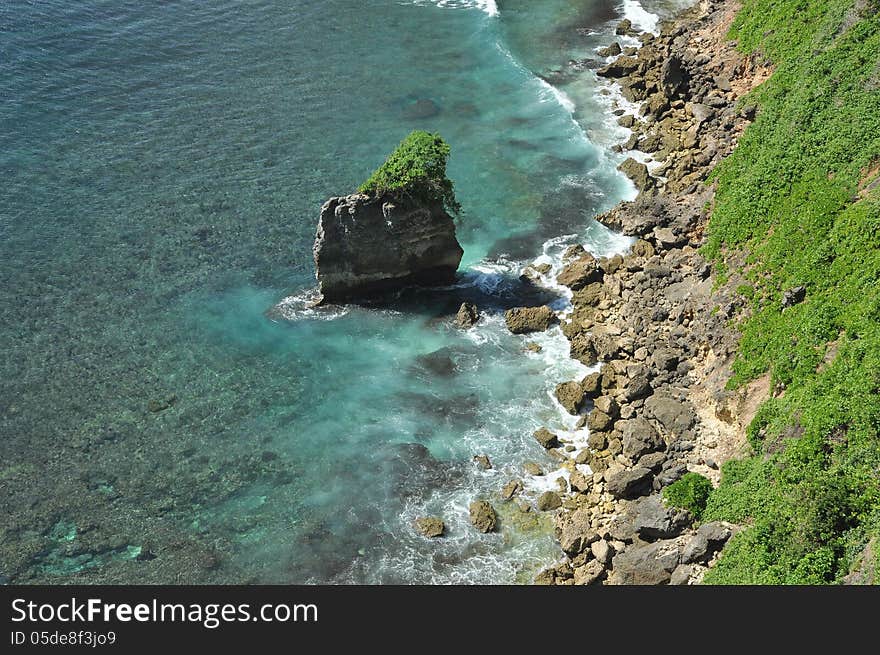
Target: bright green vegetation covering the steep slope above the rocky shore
[801,196]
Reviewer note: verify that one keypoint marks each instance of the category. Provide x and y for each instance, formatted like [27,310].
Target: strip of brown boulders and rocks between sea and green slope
[655,322]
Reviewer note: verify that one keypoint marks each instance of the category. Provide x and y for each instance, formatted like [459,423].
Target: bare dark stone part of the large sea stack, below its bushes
[368,245]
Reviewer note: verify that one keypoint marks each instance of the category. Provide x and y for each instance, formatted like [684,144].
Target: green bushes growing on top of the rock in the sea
[416,168]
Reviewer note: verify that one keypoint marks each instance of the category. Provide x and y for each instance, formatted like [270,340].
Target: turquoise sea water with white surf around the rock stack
[169,409]
